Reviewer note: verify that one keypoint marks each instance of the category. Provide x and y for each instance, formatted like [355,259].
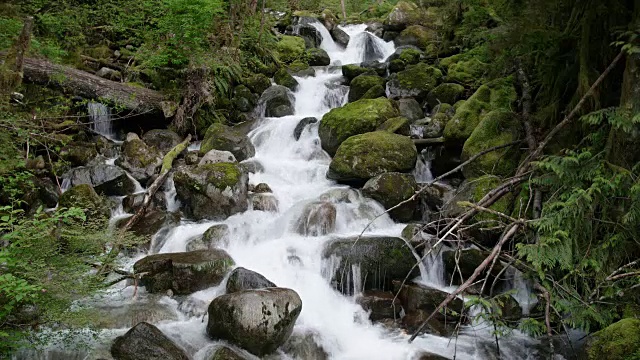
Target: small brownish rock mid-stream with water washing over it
[318,218]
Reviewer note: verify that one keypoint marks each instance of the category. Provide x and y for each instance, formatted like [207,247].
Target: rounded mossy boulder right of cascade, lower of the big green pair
[362,157]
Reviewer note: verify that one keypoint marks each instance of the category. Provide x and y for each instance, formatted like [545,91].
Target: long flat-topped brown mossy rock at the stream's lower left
[184,272]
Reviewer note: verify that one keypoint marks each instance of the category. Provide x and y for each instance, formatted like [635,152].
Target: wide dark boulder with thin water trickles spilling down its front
[380,259]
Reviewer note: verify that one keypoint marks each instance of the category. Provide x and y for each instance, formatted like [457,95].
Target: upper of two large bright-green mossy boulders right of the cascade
[352,119]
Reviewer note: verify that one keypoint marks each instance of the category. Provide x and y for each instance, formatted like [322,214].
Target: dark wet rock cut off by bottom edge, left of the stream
[146,342]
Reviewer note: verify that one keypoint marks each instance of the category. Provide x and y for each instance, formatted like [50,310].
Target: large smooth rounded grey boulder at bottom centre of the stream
[258,321]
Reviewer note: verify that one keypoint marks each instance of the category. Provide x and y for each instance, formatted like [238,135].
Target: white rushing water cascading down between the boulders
[267,242]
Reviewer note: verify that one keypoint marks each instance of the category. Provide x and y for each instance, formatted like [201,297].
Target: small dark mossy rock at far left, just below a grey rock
[84,197]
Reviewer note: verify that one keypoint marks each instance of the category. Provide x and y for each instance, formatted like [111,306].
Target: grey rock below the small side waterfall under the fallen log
[105,179]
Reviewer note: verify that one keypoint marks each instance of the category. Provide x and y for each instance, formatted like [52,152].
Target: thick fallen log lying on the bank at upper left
[84,84]
